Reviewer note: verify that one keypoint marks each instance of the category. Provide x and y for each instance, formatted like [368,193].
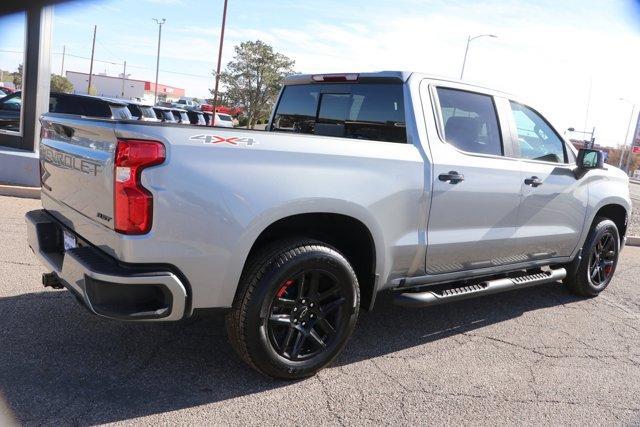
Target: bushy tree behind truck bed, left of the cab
[254,77]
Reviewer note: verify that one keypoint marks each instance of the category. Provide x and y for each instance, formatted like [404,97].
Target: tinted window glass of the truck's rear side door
[470,121]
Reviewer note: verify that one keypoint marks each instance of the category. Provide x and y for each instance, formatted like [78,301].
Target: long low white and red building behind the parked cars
[122,87]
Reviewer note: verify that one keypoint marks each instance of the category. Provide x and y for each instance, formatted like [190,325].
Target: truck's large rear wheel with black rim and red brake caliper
[297,306]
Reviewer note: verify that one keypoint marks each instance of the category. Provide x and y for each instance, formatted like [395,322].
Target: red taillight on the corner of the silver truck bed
[133,204]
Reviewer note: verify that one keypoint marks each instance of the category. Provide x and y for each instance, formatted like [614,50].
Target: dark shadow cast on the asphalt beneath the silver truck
[60,364]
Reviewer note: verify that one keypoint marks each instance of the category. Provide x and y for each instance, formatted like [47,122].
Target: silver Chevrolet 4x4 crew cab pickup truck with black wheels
[431,189]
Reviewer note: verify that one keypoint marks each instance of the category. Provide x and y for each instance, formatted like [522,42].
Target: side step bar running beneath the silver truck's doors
[429,298]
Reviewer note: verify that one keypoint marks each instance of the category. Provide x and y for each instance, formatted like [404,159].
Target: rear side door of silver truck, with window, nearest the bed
[476,183]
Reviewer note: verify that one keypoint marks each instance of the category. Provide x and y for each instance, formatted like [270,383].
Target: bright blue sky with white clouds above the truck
[572,60]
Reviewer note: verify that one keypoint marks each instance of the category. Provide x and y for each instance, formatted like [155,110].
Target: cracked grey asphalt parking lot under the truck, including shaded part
[536,356]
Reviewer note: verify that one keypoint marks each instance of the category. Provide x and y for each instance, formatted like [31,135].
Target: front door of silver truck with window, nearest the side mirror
[553,208]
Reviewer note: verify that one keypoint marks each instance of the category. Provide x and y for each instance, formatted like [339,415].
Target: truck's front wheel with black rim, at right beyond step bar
[599,260]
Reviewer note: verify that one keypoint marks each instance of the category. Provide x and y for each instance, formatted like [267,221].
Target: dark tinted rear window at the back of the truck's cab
[372,111]
